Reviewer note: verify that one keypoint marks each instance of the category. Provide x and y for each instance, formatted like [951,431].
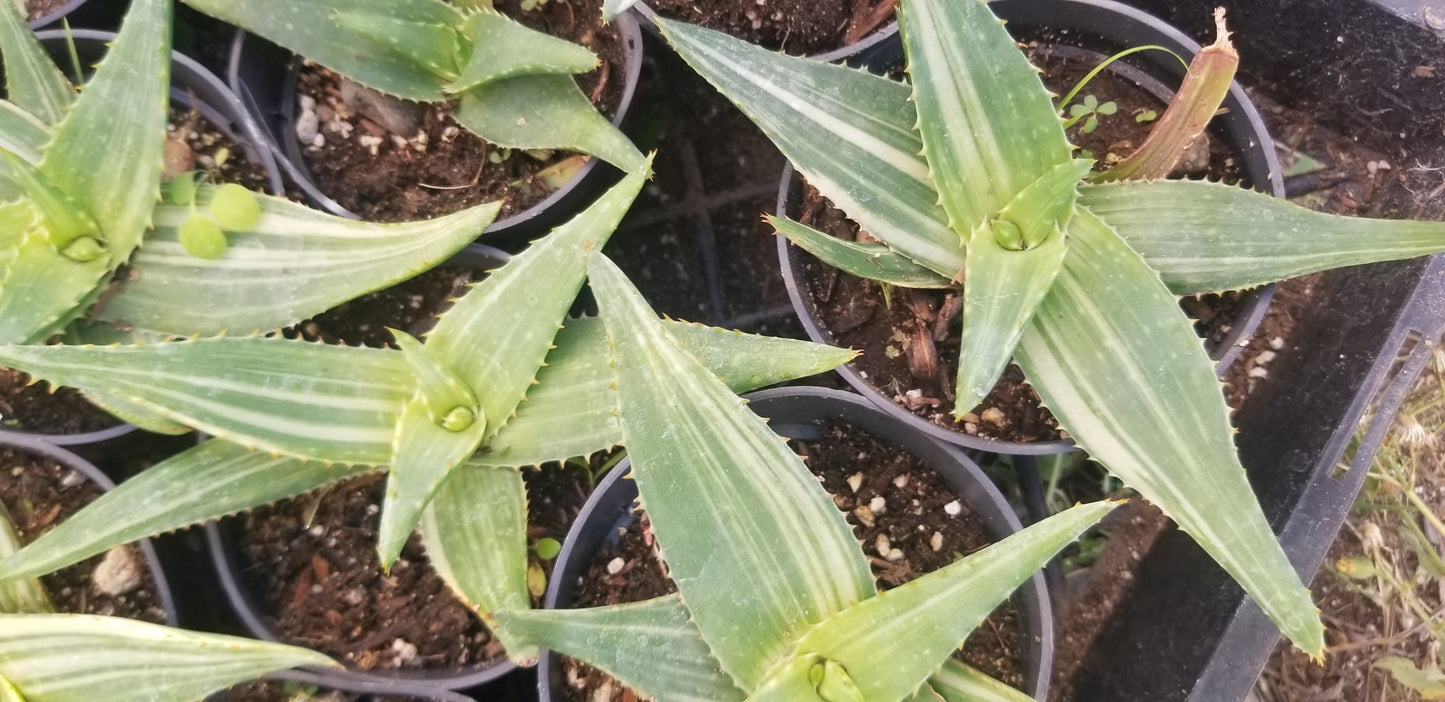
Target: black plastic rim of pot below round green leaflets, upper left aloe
[191,86]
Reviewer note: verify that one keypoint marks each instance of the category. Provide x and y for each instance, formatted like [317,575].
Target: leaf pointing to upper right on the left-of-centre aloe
[499,334]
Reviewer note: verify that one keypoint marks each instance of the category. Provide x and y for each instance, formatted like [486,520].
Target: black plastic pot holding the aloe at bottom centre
[813,417]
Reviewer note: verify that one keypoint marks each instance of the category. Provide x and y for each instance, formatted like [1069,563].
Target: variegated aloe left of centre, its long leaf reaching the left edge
[504,381]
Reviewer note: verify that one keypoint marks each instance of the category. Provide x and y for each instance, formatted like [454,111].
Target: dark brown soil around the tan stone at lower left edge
[40,495]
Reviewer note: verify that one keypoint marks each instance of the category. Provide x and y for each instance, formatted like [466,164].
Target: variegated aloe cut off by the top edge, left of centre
[514,86]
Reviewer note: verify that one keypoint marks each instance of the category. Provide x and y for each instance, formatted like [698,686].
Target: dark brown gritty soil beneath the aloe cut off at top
[452,170]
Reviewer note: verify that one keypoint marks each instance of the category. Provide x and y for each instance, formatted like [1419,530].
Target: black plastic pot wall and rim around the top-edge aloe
[267,79]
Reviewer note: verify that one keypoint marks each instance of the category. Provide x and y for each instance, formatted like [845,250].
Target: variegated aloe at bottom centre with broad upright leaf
[775,597]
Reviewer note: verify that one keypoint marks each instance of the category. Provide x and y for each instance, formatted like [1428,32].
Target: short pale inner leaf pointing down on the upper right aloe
[1001,294]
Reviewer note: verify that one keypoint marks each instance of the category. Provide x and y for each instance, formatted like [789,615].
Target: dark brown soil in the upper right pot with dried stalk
[911,347]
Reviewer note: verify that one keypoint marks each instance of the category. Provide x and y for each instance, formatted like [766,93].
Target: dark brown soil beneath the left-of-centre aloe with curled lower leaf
[314,570]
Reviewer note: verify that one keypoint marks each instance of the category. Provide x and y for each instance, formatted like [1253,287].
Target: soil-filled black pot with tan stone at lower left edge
[115,583]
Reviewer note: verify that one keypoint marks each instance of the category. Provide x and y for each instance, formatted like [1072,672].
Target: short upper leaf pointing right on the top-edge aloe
[505,48]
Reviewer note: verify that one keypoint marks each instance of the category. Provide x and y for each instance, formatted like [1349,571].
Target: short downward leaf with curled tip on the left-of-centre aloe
[476,537]
